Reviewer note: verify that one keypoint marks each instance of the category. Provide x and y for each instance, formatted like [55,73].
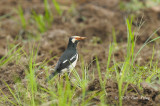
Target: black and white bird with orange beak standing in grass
[69,58]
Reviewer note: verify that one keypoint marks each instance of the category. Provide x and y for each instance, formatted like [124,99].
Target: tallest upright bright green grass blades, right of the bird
[128,60]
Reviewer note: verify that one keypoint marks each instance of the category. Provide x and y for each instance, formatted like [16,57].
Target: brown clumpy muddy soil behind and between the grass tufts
[93,19]
